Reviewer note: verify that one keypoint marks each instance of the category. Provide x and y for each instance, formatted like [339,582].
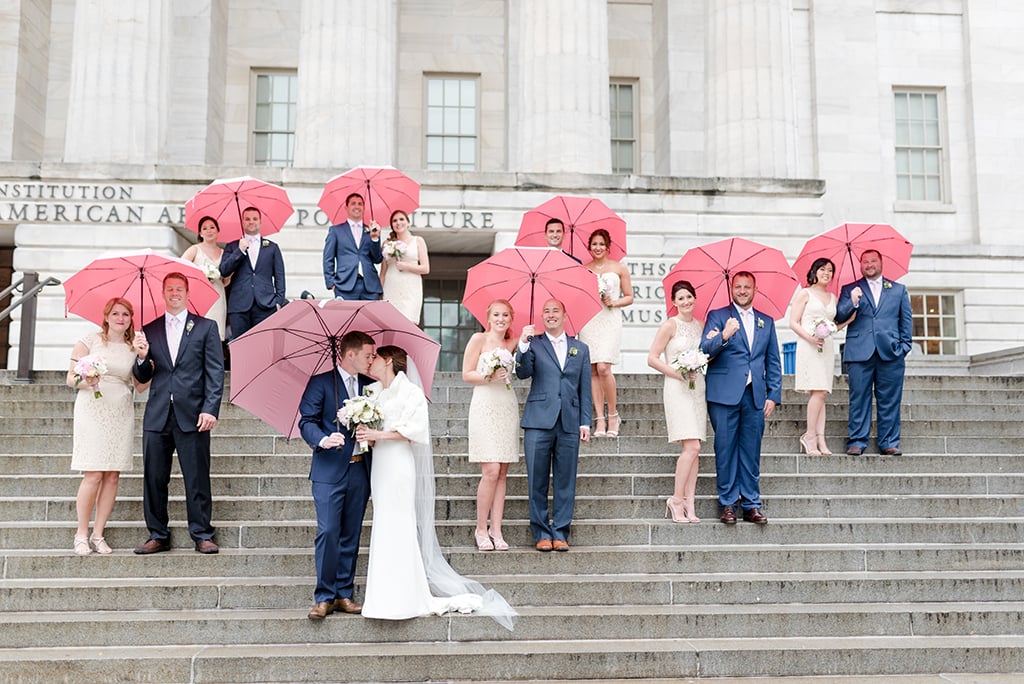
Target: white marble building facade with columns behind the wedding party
[774,120]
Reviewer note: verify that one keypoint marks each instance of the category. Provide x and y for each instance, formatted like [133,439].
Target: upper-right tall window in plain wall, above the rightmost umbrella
[919,147]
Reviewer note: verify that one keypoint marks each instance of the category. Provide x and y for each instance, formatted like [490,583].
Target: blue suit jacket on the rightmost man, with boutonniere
[886,327]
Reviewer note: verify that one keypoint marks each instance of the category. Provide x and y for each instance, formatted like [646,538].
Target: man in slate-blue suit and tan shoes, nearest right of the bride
[556,419]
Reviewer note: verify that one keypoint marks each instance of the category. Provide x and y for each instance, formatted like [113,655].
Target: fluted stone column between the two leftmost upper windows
[348,100]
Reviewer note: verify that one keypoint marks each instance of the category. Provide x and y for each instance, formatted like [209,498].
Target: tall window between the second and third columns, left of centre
[452,125]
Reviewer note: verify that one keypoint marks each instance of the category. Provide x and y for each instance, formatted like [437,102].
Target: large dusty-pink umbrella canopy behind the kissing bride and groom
[273,363]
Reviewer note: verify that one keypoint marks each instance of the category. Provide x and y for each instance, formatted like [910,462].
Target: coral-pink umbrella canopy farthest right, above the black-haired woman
[845,244]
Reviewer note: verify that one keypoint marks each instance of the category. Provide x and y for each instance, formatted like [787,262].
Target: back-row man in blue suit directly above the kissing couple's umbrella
[351,252]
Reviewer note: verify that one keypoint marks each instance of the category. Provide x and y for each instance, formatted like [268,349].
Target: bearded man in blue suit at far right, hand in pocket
[877,345]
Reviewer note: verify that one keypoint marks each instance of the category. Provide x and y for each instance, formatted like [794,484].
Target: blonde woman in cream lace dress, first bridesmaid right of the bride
[494,422]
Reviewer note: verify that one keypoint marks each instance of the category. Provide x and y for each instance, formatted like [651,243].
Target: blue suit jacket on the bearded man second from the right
[731,362]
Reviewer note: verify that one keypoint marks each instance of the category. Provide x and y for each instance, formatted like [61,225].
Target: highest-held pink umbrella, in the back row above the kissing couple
[383,189]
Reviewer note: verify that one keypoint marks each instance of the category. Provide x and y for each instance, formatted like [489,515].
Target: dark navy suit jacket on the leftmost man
[196,379]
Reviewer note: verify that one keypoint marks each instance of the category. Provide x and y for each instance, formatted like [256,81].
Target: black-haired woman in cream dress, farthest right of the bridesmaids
[816,357]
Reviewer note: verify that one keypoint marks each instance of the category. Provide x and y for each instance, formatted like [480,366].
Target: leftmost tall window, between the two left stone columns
[274,118]
